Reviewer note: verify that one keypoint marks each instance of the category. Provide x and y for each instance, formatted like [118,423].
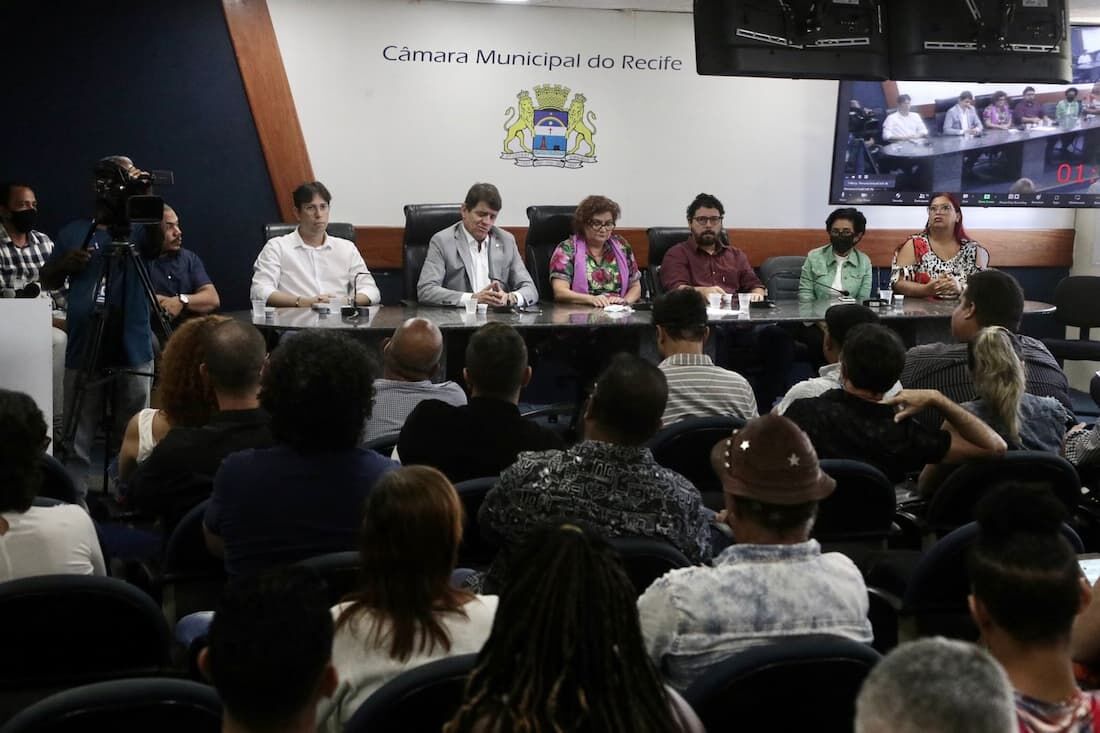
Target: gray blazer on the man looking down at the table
[444,280]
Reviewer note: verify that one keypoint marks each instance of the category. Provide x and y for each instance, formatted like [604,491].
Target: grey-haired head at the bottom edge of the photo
[937,686]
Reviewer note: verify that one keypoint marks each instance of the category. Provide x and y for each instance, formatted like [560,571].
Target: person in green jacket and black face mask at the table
[838,266]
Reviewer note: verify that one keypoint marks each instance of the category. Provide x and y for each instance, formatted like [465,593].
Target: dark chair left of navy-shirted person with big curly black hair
[191,577]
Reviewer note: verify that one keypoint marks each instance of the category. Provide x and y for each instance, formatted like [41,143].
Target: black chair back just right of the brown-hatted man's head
[861,512]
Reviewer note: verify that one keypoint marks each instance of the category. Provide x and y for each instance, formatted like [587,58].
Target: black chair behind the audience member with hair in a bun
[936,598]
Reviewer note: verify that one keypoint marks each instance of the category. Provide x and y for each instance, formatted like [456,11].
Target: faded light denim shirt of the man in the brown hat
[694,619]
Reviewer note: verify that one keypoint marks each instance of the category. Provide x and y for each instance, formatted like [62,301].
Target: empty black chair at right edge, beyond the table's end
[1079,307]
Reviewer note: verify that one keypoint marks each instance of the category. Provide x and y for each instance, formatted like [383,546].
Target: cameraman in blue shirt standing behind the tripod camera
[127,344]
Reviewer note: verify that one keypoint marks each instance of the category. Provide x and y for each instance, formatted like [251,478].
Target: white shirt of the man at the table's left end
[290,266]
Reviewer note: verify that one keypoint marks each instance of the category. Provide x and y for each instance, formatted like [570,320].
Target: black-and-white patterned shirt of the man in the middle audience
[619,489]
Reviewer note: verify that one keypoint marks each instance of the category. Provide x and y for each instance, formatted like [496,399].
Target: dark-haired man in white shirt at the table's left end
[309,266]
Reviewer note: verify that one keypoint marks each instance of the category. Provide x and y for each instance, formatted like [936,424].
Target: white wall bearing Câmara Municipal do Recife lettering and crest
[386,134]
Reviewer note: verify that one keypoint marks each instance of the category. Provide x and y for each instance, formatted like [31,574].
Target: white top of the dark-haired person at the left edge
[49,541]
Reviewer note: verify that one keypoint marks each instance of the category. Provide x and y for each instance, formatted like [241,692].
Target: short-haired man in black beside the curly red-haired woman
[179,475]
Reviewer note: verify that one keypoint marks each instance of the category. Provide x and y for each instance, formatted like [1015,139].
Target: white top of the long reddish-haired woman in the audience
[364,665]
